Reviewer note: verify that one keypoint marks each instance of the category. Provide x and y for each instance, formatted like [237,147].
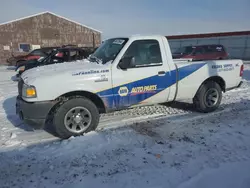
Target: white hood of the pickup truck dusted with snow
[71,68]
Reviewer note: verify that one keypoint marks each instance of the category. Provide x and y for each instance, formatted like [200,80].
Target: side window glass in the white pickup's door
[144,53]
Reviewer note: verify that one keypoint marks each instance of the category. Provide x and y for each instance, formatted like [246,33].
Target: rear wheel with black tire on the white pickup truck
[201,98]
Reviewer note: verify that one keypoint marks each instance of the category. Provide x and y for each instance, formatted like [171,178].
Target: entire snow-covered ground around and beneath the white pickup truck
[159,146]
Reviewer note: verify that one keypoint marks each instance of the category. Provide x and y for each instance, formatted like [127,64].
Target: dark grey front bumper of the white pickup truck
[33,113]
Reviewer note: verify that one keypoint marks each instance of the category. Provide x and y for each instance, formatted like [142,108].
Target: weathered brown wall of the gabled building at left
[44,30]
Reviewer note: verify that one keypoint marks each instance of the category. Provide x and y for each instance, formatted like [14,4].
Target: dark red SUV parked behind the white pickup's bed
[201,52]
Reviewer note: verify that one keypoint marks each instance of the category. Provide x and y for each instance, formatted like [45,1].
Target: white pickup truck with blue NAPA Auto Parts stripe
[121,73]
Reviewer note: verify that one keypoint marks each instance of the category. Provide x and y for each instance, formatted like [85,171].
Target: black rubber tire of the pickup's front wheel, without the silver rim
[61,111]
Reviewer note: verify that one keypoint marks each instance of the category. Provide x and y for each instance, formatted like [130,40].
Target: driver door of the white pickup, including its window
[144,82]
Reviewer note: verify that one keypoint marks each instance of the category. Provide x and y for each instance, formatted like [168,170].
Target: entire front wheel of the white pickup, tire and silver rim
[75,117]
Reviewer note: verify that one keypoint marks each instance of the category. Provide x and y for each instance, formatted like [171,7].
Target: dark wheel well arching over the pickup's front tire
[91,96]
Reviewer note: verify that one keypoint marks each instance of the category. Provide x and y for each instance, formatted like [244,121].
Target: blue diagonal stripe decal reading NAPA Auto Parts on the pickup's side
[135,92]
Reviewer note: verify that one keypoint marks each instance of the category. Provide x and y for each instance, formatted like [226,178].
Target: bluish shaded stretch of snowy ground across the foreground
[181,153]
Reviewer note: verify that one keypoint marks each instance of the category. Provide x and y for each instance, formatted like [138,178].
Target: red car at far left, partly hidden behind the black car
[33,55]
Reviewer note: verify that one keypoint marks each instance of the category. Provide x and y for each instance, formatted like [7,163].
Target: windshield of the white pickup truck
[108,50]
